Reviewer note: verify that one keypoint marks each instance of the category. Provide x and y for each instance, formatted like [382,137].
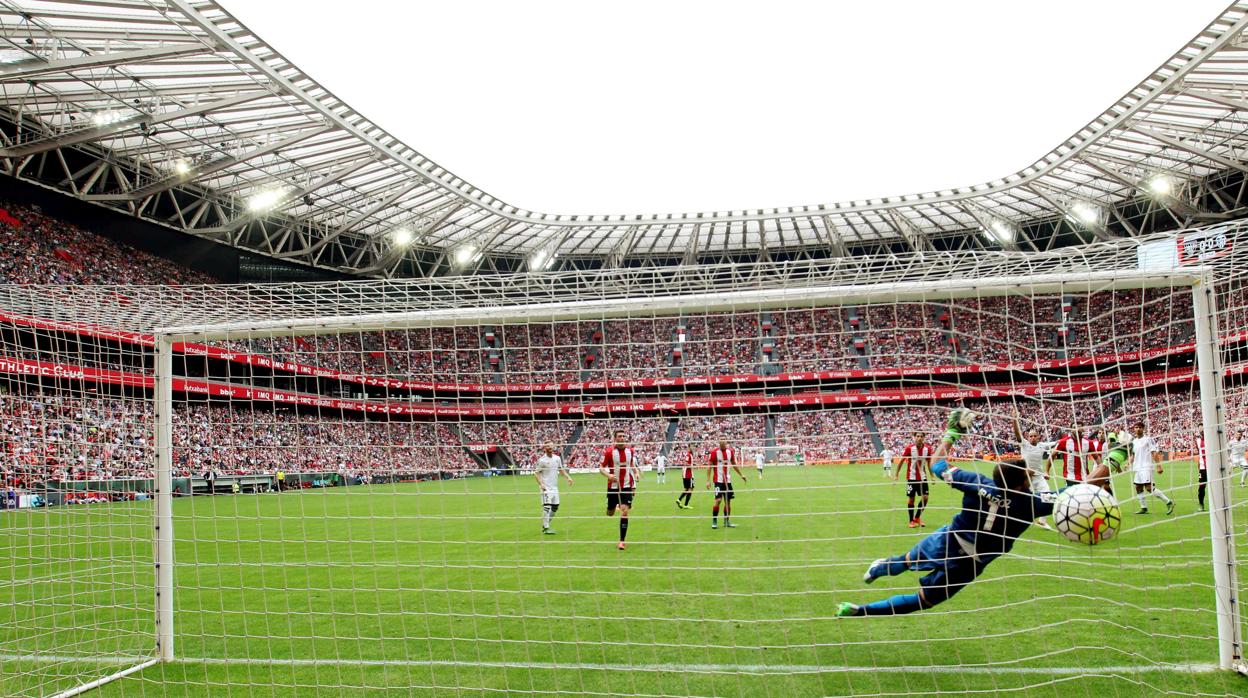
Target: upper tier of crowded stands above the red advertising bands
[38,249]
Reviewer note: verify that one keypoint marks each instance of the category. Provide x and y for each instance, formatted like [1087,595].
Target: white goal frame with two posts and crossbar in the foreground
[1200,280]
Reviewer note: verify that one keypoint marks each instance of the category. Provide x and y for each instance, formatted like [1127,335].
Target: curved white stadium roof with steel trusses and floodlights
[174,112]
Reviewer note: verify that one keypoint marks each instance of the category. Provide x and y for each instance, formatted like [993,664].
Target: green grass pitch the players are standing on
[449,589]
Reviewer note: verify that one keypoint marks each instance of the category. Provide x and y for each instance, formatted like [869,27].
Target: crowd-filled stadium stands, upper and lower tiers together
[99,439]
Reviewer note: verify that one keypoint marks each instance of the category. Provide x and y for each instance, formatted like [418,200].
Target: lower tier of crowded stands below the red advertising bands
[61,436]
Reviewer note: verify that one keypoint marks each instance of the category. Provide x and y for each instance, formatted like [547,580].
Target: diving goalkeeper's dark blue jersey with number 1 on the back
[992,519]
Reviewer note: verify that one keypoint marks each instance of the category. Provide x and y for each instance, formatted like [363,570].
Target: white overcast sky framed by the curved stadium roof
[673,107]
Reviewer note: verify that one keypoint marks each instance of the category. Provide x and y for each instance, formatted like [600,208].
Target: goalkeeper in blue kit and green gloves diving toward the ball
[997,511]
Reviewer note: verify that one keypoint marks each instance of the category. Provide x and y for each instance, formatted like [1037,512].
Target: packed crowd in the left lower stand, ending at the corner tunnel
[64,438]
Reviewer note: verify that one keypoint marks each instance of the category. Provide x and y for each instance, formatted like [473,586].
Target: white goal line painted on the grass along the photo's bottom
[642,669]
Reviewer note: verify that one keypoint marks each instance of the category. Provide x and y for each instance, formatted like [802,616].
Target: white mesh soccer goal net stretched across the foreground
[454,488]
